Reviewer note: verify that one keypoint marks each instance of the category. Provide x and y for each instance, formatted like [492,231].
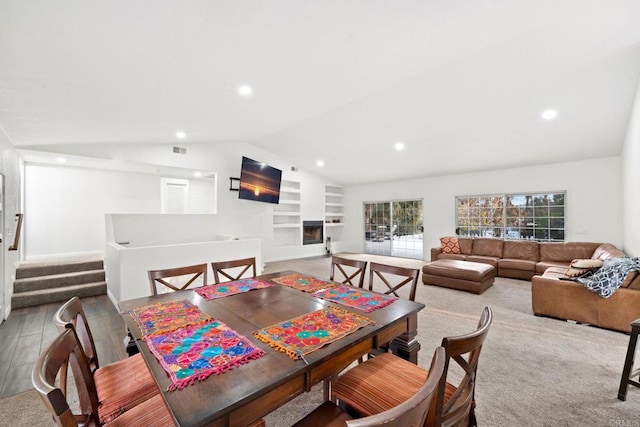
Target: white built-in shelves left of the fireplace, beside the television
[287,224]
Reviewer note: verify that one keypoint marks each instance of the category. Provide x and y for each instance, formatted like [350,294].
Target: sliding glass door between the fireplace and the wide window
[394,228]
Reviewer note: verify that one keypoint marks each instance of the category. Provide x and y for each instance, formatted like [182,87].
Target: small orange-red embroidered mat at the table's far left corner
[167,316]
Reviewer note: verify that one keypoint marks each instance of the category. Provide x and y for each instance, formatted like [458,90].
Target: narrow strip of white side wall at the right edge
[631,183]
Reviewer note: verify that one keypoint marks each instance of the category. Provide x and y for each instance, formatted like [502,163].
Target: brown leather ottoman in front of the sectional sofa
[475,277]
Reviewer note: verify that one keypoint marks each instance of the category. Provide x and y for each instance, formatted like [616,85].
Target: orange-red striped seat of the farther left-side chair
[123,385]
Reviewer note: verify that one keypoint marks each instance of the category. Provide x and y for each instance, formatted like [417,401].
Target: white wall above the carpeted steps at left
[65,206]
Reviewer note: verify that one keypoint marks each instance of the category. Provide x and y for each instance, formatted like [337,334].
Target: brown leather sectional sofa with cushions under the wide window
[545,264]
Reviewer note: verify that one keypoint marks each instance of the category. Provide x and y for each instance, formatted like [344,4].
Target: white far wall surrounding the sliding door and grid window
[593,187]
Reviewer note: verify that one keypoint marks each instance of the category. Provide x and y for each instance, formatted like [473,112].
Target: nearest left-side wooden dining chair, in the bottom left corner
[66,352]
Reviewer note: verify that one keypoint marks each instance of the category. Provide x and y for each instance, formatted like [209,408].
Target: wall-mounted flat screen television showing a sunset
[259,181]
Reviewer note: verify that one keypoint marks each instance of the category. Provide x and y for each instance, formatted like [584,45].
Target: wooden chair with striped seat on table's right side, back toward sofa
[382,382]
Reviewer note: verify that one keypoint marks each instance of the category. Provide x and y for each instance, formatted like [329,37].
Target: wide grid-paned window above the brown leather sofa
[538,217]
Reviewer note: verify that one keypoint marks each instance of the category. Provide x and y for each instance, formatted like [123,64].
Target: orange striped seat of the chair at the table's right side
[381,383]
